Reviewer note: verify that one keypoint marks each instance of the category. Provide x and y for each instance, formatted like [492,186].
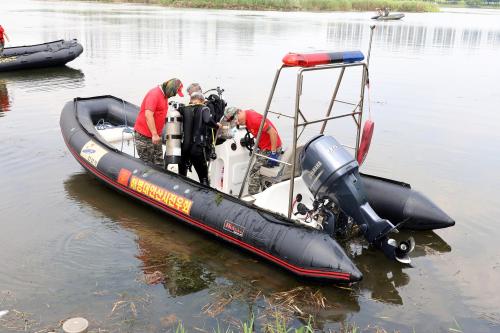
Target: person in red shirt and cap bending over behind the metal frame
[269,145]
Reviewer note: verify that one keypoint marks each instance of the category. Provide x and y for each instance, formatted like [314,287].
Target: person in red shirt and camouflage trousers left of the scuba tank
[151,120]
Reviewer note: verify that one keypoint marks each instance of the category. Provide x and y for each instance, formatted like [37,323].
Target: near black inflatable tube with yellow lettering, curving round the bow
[305,252]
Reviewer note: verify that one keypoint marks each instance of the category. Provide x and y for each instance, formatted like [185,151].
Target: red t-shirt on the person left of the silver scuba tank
[157,102]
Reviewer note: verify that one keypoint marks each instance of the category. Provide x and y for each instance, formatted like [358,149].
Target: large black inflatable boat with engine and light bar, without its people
[315,197]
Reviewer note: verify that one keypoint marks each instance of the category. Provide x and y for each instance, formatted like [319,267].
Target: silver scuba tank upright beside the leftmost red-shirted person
[173,126]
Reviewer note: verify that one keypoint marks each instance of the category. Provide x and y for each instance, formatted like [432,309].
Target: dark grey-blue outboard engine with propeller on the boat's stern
[329,171]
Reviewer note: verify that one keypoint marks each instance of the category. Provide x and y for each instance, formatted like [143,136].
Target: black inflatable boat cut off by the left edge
[55,53]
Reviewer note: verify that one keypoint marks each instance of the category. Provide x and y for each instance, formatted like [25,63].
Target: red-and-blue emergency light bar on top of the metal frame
[324,58]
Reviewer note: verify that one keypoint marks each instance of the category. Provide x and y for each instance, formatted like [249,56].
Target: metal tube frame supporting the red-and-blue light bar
[356,114]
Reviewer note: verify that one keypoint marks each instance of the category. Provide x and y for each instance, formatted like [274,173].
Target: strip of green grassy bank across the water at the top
[290,5]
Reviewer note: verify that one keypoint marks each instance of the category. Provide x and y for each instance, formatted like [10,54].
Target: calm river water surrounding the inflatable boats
[72,247]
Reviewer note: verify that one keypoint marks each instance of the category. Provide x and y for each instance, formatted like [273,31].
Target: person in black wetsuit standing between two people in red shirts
[195,145]
